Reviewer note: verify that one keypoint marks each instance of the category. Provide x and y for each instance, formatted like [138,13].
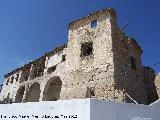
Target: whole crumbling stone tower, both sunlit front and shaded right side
[101,55]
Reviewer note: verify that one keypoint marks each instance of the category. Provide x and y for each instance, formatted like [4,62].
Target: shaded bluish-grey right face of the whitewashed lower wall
[105,110]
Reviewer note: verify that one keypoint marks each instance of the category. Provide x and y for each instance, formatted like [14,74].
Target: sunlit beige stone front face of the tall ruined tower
[90,53]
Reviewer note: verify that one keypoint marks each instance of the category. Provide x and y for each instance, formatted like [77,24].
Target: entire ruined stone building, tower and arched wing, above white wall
[98,61]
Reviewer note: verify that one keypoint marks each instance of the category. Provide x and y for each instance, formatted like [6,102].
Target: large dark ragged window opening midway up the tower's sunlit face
[86,49]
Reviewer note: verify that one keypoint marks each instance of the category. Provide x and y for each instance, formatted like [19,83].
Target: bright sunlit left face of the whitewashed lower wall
[61,109]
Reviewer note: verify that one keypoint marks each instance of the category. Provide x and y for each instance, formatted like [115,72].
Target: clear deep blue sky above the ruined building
[29,28]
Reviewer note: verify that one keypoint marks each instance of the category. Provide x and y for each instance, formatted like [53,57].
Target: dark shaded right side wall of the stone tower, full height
[126,76]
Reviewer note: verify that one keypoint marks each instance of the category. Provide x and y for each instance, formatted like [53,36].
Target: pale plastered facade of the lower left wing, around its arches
[11,89]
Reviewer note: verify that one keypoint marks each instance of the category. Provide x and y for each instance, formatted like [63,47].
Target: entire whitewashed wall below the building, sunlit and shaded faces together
[79,110]
